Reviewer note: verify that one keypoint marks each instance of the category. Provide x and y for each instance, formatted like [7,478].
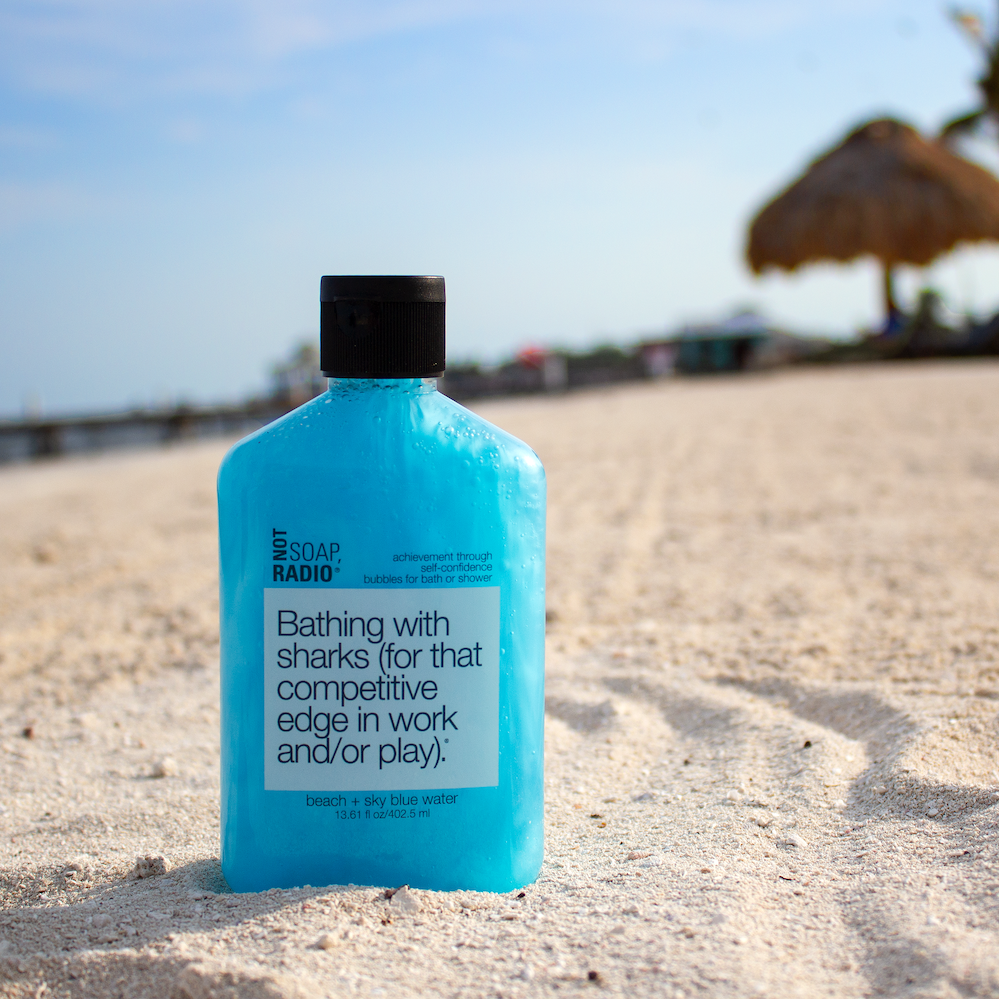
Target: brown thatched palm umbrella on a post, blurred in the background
[884,191]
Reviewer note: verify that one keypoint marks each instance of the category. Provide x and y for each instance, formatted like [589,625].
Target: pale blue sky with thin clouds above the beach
[177,175]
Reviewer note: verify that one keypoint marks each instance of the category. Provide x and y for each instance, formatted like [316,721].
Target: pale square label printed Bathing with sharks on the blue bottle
[381,689]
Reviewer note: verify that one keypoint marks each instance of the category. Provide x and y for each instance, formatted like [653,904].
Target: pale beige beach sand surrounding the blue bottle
[773,689]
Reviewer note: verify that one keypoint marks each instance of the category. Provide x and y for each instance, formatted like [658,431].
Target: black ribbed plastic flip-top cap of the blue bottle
[382,326]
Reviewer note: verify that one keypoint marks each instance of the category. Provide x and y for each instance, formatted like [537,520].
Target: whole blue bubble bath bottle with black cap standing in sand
[382,622]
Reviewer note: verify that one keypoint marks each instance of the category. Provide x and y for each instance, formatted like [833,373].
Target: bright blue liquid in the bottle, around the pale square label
[378,468]
